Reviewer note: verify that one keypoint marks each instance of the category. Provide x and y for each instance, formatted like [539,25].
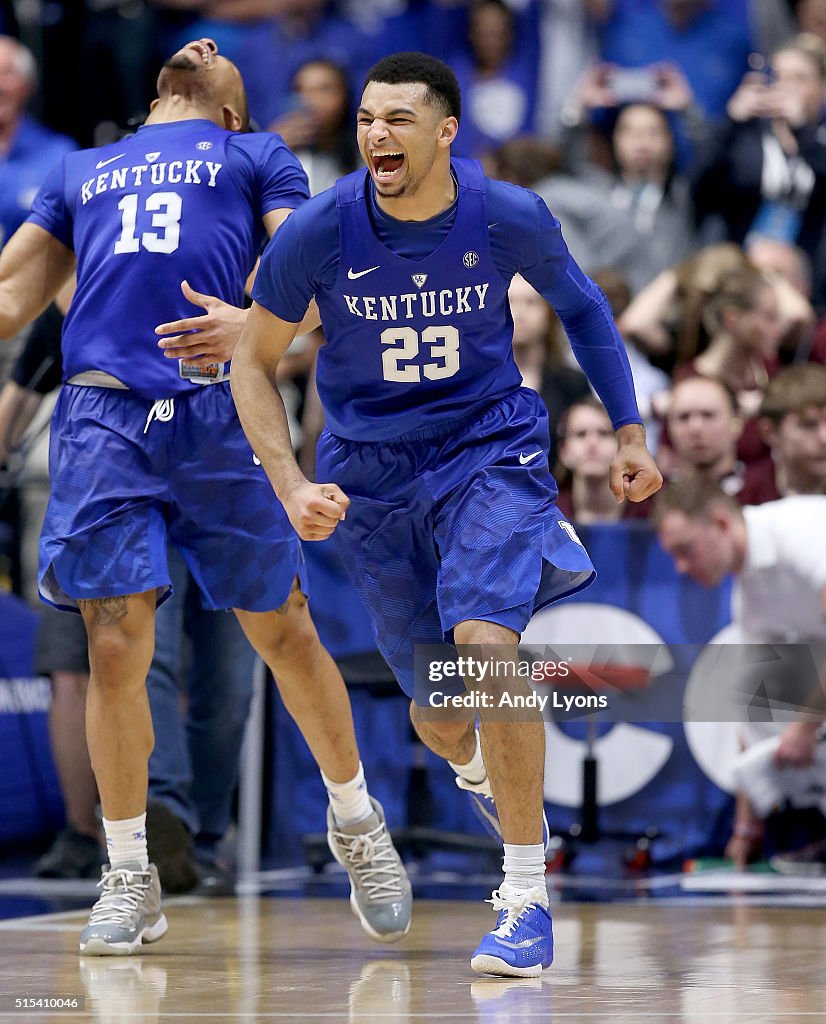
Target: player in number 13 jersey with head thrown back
[148,450]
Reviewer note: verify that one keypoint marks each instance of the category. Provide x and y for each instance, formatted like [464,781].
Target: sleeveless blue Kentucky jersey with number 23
[414,342]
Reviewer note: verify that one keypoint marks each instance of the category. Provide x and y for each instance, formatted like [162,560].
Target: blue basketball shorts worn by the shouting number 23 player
[452,523]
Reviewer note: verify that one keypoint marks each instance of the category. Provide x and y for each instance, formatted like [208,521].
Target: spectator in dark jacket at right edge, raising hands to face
[764,169]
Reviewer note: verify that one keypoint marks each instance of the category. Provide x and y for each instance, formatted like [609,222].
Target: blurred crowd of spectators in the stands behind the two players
[689,179]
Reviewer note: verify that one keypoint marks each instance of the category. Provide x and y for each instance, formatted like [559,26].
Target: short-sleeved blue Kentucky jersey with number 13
[175,201]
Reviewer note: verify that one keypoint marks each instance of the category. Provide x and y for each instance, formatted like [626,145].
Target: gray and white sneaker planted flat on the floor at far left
[127,914]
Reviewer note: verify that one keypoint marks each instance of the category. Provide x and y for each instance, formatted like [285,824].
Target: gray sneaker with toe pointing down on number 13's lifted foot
[380,889]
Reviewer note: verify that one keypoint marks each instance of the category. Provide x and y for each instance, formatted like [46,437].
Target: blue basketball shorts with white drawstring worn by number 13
[129,476]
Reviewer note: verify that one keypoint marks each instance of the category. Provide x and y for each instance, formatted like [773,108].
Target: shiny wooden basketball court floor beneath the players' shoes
[654,953]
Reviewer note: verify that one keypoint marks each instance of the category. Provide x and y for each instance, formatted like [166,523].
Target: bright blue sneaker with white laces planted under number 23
[523,943]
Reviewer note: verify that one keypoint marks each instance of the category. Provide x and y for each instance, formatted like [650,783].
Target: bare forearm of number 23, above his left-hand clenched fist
[264,417]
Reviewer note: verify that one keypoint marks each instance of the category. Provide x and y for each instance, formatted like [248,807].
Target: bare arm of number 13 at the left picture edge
[34,266]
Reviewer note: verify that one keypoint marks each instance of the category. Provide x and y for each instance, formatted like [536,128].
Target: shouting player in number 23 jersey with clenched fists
[441,496]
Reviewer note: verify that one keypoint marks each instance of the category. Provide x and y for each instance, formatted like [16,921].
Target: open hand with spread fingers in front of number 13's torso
[205,339]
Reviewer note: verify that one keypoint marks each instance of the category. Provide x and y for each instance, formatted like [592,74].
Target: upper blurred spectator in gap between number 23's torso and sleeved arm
[540,354]
